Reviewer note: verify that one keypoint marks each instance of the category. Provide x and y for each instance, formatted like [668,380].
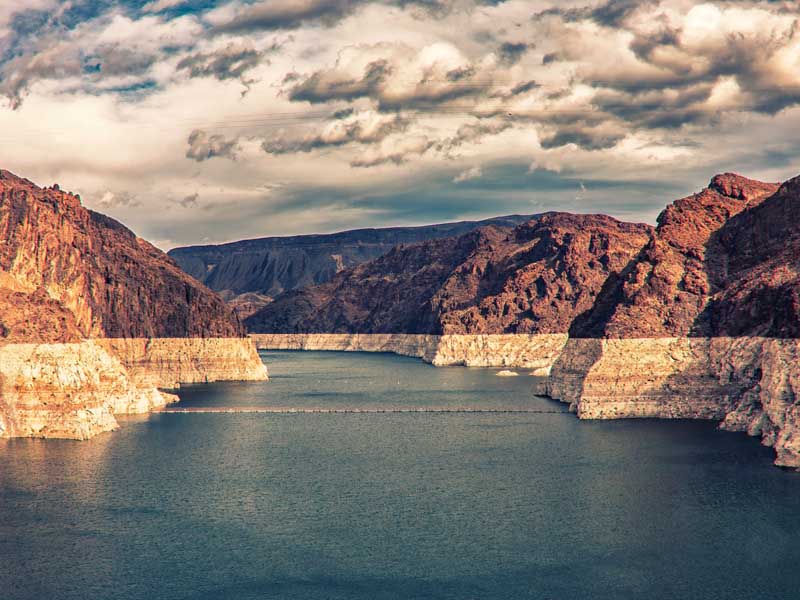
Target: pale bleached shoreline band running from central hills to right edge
[747,384]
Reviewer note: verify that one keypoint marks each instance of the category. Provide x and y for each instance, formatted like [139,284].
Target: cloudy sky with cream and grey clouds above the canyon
[205,121]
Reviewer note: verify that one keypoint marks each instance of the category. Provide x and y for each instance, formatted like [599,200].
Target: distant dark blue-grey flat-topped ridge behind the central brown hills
[250,273]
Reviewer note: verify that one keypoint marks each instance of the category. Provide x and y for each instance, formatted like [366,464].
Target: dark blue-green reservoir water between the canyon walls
[395,505]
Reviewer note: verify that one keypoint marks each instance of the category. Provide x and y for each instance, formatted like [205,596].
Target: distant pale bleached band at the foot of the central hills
[530,351]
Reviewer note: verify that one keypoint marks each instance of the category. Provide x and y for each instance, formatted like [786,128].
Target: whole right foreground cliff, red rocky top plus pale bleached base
[704,321]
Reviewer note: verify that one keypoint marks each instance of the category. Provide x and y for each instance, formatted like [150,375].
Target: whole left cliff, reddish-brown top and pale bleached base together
[93,319]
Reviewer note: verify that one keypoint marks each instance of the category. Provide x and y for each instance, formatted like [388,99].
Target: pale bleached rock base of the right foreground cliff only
[749,384]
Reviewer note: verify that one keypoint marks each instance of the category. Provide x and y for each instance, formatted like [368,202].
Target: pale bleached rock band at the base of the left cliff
[73,390]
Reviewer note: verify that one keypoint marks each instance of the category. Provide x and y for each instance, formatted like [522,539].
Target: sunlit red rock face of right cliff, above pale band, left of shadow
[666,288]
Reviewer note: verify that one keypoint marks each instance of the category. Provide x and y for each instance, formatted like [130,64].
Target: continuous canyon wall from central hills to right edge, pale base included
[697,318]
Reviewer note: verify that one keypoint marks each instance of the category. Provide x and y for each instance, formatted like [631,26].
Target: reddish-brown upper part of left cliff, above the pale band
[67,272]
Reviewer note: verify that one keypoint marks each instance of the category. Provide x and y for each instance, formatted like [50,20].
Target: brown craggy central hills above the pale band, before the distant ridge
[534,278]
